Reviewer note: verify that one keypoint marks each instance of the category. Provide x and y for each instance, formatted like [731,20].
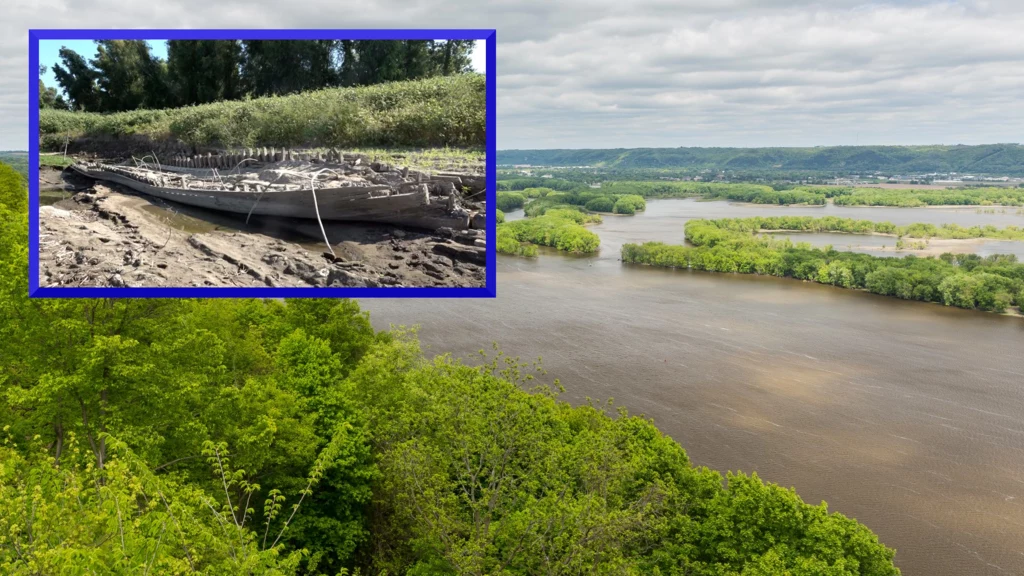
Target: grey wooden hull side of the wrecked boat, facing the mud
[411,205]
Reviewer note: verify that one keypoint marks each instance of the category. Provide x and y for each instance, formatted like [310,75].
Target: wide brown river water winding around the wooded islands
[907,417]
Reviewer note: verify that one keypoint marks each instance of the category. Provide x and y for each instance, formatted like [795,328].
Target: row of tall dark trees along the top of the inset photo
[124,75]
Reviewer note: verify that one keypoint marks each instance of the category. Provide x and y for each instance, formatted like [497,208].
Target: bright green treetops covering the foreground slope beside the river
[264,437]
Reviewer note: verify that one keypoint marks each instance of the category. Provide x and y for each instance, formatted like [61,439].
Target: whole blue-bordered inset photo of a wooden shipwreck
[263,163]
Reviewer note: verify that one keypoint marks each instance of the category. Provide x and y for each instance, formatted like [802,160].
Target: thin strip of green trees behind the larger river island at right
[851,226]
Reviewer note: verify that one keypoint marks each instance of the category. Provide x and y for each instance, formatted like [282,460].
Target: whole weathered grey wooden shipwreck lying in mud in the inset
[323,186]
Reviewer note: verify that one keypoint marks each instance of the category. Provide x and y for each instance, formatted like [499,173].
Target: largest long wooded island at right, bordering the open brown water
[966,281]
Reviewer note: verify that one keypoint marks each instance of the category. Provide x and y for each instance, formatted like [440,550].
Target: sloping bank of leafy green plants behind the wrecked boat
[438,112]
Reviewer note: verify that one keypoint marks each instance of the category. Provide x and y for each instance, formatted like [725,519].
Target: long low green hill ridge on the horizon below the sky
[1002,159]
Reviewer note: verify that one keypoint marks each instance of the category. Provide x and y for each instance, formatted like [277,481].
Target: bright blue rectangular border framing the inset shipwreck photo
[490,289]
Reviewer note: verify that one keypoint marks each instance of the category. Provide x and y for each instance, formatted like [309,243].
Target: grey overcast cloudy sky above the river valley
[660,73]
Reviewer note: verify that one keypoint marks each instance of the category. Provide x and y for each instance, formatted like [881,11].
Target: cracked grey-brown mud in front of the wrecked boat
[109,236]
